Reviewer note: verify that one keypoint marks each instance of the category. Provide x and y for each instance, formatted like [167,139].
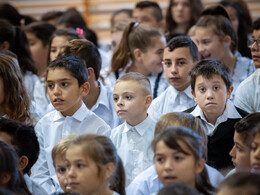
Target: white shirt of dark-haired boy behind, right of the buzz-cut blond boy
[171,100]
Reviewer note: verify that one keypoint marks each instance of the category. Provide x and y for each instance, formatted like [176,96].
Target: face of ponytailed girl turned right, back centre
[152,58]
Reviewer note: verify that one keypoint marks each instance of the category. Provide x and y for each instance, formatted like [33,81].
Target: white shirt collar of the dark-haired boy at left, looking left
[79,115]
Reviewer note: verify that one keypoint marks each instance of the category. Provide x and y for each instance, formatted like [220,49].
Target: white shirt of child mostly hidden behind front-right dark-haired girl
[148,182]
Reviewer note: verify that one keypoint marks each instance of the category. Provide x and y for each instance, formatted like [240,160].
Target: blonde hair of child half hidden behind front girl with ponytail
[61,147]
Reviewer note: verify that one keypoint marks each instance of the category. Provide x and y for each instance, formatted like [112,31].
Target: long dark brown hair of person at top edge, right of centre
[196,9]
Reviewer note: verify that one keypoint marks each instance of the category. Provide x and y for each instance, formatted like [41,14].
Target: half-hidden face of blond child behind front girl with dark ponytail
[60,169]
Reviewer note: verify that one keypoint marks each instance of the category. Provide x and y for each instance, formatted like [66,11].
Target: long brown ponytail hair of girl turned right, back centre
[135,36]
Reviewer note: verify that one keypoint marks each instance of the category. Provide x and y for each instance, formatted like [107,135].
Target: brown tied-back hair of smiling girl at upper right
[221,27]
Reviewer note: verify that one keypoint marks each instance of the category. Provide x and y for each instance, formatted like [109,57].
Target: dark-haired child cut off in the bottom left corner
[11,178]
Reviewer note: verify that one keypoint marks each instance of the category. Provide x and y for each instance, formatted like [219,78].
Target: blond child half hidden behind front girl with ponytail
[58,158]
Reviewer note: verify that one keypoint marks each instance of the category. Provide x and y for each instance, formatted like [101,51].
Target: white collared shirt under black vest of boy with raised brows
[230,112]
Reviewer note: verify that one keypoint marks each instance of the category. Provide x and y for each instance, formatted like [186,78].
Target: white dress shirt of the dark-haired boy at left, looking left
[50,129]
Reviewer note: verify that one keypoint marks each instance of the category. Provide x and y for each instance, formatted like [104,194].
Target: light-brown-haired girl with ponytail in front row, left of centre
[94,157]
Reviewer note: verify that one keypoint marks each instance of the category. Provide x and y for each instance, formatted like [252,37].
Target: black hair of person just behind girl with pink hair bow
[71,18]
